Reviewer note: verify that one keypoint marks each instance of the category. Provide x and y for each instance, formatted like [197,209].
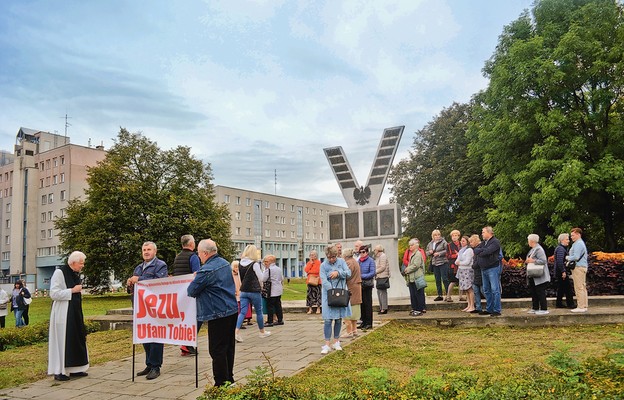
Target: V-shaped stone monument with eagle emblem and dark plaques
[365,219]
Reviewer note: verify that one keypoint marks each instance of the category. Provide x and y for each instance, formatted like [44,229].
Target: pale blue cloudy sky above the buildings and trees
[252,87]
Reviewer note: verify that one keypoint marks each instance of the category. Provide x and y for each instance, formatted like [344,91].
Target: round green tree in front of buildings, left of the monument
[139,193]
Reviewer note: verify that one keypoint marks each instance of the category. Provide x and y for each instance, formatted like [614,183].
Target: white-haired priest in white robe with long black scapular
[67,345]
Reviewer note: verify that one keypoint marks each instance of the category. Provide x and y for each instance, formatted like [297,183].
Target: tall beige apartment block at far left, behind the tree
[36,182]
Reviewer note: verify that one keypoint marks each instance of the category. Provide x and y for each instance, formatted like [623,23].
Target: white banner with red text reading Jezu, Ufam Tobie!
[163,312]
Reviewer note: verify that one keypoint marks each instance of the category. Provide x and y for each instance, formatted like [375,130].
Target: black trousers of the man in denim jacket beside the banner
[221,346]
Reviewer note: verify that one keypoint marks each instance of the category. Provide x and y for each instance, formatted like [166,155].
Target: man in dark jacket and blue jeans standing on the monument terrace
[487,258]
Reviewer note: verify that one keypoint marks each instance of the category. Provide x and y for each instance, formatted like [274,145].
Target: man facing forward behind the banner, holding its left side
[151,268]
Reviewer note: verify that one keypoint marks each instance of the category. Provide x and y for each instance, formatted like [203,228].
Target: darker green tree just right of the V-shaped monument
[437,185]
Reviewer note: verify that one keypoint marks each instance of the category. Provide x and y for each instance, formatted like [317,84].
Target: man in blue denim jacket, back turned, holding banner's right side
[215,292]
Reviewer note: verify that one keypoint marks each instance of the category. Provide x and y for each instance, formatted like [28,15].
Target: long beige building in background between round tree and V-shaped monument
[286,227]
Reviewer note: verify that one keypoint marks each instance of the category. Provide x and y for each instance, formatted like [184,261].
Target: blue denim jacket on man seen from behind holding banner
[214,290]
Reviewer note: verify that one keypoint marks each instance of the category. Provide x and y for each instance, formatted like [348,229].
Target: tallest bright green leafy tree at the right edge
[548,128]
